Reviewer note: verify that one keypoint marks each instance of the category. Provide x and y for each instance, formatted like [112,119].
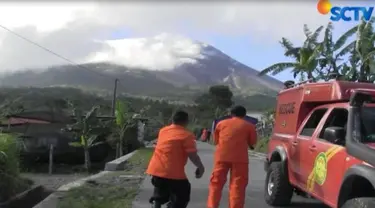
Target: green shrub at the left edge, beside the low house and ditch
[10,182]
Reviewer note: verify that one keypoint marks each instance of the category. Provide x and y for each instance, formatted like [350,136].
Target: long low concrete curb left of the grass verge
[114,165]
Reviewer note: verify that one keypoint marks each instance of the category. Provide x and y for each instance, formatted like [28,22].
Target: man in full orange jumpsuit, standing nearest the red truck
[232,137]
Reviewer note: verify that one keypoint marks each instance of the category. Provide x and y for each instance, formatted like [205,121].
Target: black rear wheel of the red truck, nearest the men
[278,191]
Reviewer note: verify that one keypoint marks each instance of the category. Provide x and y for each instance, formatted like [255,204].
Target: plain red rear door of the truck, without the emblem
[301,147]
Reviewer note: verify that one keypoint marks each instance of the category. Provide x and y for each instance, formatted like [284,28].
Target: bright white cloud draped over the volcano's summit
[162,52]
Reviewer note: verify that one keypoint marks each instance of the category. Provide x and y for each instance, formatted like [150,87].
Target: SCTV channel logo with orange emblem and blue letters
[345,13]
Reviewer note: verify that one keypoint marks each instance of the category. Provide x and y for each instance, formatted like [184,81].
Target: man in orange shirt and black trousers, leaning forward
[174,146]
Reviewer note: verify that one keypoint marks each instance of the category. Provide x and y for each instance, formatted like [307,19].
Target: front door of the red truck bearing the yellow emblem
[326,168]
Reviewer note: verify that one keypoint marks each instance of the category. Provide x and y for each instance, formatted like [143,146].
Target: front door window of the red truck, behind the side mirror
[338,118]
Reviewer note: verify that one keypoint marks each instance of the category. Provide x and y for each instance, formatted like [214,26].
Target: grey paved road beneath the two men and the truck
[200,186]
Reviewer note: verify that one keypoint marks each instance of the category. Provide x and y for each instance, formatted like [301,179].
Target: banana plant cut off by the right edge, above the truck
[366,50]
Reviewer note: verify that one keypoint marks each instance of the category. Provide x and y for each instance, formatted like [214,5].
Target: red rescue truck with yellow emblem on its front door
[323,145]
